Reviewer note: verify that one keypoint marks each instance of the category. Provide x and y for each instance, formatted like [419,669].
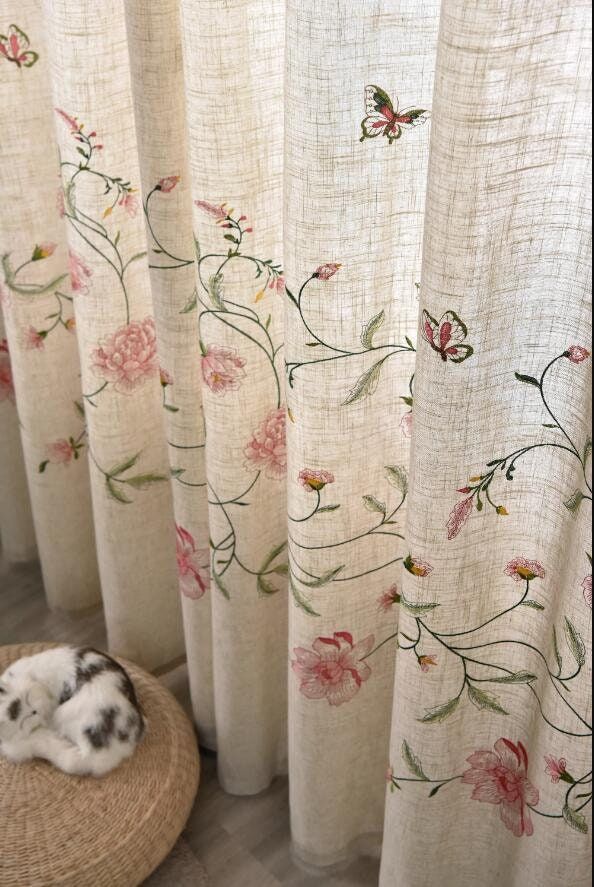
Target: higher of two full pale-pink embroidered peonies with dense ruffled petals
[129,356]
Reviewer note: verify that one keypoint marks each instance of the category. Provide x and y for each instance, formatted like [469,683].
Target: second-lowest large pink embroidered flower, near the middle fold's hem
[333,669]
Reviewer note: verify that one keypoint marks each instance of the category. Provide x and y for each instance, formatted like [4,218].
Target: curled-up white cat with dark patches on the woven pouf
[74,707]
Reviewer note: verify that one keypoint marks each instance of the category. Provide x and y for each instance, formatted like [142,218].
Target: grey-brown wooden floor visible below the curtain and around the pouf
[228,841]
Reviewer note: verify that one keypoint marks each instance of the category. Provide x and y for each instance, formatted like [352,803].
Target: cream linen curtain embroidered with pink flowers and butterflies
[296,306]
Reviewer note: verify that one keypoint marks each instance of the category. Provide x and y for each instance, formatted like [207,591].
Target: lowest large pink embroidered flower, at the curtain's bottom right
[500,777]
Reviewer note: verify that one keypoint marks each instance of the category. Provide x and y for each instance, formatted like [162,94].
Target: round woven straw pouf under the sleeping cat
[110,832]
